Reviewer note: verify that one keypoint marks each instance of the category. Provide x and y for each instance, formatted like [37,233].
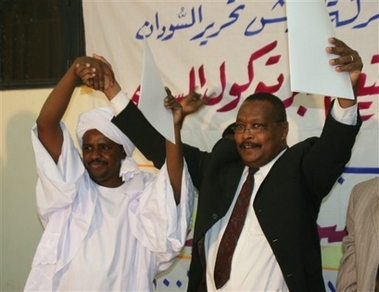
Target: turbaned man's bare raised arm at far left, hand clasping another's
[48,121]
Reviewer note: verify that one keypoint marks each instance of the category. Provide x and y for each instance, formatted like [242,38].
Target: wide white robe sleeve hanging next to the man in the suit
[162,225]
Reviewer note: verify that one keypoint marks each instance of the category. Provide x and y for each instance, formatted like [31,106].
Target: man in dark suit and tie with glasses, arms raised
[278,248]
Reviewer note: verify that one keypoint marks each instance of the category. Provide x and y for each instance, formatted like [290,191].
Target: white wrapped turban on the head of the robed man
[100,119]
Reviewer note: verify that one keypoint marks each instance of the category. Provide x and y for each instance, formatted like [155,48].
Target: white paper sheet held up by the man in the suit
[309,28]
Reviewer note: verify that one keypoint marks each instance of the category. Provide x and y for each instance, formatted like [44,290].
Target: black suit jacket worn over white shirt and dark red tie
[287,203]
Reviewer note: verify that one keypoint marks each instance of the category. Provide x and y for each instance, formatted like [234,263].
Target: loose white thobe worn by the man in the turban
[104,239]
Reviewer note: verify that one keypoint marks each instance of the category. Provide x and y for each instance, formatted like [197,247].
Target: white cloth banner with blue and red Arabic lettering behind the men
[232,49]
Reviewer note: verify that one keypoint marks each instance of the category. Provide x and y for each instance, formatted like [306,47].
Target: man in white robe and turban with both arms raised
[112,234]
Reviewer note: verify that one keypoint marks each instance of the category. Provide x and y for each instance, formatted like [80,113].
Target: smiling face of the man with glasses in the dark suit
[259,146]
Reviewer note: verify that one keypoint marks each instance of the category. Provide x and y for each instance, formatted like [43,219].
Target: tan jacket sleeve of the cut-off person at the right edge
[347,274]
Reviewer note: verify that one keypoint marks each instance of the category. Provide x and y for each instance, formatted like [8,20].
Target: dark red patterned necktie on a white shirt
[233,231]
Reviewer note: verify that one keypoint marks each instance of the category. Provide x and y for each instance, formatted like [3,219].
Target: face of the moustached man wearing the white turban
[102,158]
